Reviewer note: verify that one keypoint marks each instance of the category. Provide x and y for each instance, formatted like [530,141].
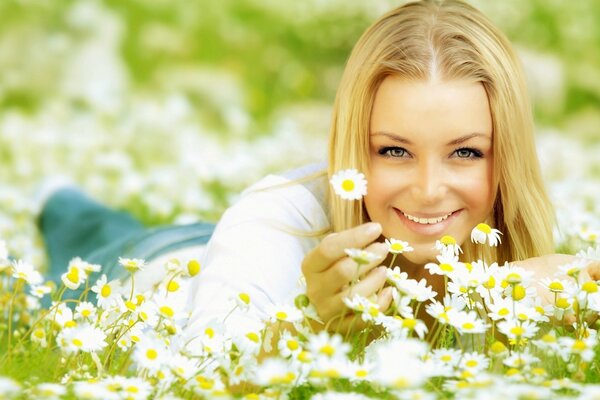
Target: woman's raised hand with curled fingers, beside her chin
[328,272]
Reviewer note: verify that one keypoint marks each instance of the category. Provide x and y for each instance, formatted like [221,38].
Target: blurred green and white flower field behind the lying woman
[169,108]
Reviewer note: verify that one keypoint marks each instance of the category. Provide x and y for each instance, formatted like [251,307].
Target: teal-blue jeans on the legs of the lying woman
[73,225]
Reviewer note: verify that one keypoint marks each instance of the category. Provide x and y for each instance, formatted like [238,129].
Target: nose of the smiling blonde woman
[429,184]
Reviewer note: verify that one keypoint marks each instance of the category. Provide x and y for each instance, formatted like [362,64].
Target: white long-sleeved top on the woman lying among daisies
[254,251]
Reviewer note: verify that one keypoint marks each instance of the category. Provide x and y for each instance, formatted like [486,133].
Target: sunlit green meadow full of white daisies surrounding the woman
[160,108]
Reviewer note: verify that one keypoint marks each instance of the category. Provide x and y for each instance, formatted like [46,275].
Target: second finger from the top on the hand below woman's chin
[346,270]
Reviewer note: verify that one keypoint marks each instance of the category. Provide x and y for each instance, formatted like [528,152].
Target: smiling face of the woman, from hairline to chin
[431,161]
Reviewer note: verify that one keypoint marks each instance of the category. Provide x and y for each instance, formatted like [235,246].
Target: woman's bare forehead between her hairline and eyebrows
[429,109]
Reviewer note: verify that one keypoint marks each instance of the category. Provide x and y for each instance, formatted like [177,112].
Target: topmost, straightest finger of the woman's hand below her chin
[332,247]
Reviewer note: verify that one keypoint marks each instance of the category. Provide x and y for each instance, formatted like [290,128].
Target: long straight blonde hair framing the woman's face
[451,40]
